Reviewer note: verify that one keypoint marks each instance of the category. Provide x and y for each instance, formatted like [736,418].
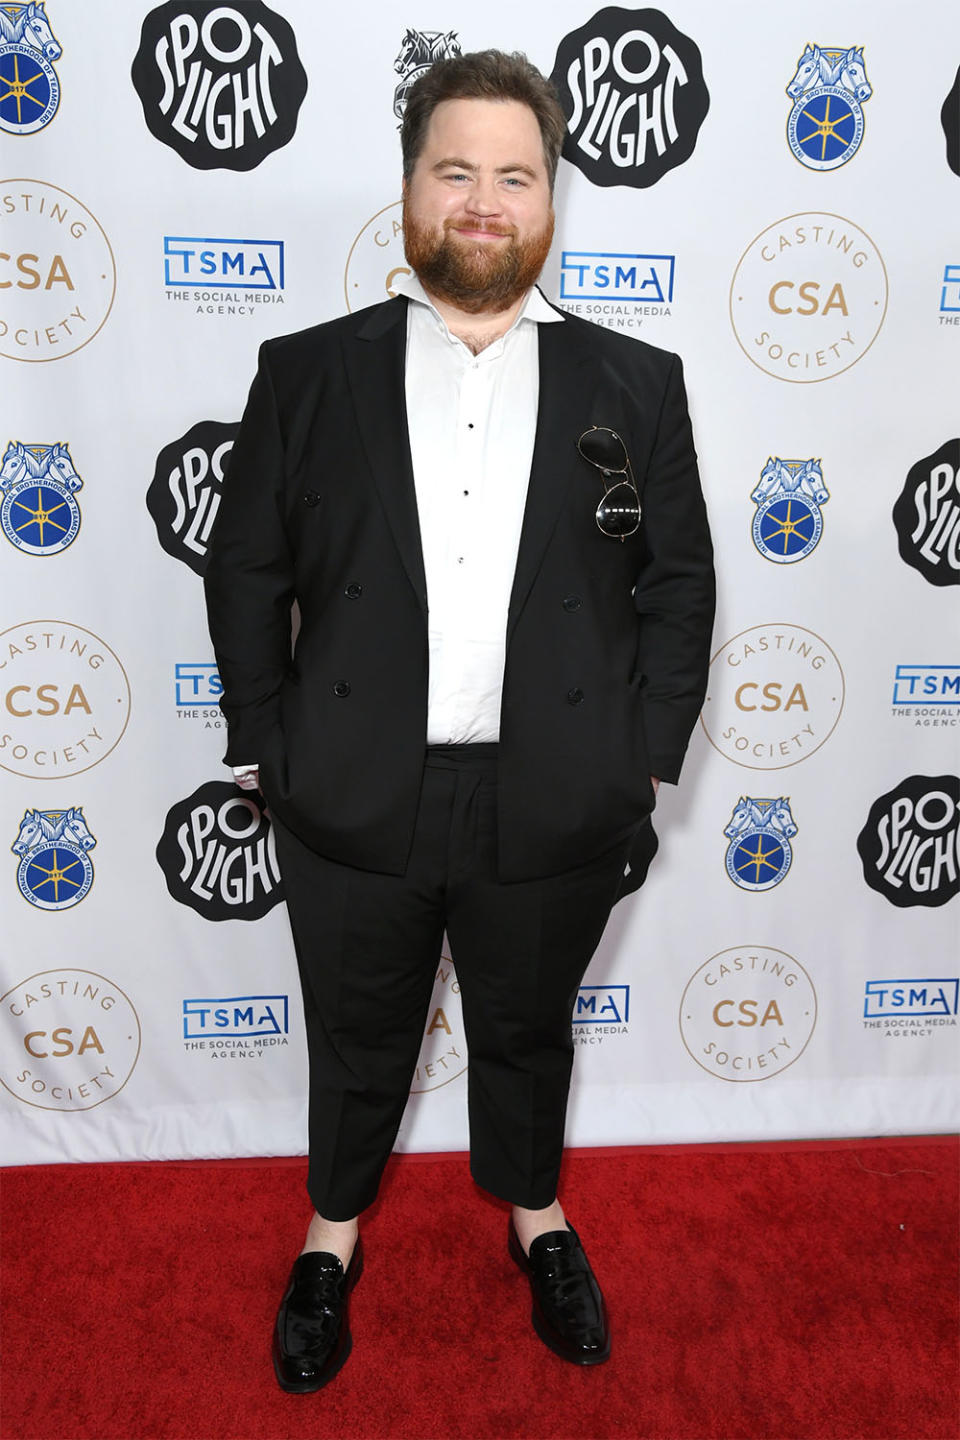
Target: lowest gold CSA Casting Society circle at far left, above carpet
[71,1040]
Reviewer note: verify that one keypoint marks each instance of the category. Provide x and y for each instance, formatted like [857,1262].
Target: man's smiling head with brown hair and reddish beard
[481,139]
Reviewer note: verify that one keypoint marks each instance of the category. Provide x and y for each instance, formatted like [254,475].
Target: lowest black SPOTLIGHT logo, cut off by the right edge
[912,840]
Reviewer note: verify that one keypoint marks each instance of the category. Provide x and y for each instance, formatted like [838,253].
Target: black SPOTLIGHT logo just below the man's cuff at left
[219,856]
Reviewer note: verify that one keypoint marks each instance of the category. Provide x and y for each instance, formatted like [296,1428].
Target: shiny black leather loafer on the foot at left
[312,1337]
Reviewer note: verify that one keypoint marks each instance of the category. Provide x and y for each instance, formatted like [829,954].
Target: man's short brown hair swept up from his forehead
[483,76]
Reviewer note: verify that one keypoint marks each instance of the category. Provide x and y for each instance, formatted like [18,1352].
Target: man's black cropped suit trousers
[369,947]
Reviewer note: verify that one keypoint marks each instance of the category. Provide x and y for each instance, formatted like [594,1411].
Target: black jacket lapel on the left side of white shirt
[376,364]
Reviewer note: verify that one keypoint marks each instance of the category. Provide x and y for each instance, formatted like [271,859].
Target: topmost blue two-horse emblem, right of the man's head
[828,91]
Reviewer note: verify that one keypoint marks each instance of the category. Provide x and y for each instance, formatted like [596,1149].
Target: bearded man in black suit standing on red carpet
[497,660]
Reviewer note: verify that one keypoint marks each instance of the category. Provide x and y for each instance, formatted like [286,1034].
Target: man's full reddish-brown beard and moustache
[474,277]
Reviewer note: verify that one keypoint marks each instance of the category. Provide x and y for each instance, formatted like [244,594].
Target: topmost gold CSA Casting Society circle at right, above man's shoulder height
[808,297]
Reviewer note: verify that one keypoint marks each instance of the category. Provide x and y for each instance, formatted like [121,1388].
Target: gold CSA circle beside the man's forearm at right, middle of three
[775,696]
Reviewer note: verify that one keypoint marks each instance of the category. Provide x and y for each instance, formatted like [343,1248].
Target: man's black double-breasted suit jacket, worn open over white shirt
[608,643]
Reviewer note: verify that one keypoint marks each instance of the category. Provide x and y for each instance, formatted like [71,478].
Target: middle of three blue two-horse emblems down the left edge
[38,498]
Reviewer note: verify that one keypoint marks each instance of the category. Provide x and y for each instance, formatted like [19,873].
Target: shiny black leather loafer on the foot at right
[569,1314]
